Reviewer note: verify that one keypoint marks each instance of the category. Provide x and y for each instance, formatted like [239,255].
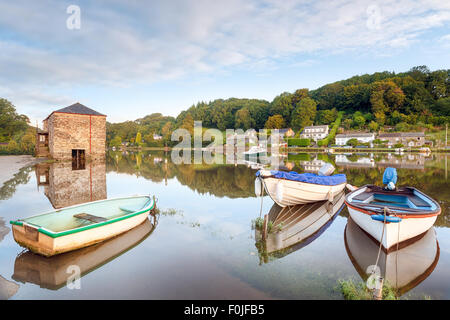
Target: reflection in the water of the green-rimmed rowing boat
[52,273]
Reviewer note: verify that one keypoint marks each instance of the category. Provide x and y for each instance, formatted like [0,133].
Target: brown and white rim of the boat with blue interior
[399,213]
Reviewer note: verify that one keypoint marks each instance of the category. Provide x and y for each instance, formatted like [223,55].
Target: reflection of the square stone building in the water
[65,186]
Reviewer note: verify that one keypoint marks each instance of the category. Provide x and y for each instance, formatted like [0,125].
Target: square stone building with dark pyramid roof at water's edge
[73,132]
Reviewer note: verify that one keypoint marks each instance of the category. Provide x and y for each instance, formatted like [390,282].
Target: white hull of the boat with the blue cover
[296,192]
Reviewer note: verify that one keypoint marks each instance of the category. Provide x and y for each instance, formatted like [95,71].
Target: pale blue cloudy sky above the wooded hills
[128,59]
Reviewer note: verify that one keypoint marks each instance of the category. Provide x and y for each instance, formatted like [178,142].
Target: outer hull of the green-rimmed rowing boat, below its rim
[45,245]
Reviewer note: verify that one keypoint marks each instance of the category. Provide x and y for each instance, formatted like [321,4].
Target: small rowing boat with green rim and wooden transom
[80,226]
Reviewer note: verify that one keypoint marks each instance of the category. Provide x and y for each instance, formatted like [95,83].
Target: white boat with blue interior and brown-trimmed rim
[392,217]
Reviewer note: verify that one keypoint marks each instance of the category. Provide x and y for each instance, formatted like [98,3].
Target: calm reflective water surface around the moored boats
[202,244]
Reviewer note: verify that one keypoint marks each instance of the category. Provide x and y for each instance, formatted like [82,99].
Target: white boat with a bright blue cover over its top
[292,188]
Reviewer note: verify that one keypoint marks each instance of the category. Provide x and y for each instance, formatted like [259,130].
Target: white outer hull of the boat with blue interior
[394,233]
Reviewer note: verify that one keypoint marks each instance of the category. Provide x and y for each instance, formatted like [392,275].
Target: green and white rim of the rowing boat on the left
[53,234]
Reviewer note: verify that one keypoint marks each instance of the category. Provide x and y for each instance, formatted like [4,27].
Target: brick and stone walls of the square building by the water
[76,131]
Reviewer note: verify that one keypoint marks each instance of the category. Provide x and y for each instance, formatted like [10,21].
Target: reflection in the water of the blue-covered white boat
[294,227]
